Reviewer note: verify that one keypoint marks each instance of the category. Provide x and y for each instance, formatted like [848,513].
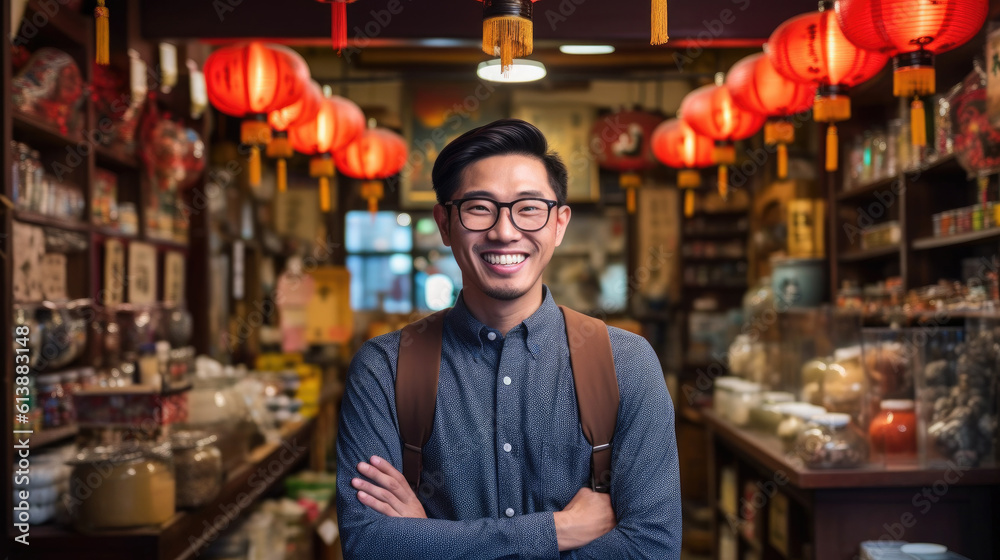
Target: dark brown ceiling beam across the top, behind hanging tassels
[700,22]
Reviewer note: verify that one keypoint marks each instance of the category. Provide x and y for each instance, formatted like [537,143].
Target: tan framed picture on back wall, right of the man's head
[567,128]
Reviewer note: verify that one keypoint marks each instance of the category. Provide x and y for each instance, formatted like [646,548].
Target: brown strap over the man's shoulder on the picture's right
[596,384]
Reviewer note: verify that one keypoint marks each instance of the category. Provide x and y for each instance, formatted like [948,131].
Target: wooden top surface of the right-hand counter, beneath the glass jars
[766,450]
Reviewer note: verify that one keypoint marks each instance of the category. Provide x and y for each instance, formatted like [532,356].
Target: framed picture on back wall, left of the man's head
[434,114]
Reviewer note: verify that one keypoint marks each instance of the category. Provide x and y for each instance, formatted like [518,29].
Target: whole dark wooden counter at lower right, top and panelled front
[828,513]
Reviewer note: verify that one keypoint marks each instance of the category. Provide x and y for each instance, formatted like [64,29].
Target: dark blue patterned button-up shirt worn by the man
[507,449]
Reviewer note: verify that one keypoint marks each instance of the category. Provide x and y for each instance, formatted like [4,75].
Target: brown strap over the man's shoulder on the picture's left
[416,389]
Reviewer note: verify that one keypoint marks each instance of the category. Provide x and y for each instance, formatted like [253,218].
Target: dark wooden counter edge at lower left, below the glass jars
[187,532]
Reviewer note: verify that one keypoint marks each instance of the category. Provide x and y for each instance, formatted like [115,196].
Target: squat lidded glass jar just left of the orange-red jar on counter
[831,441]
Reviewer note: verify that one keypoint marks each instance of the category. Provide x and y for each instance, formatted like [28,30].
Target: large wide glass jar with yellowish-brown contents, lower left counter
[122,485]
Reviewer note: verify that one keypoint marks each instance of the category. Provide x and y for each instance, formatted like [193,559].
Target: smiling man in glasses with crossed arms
[506,471]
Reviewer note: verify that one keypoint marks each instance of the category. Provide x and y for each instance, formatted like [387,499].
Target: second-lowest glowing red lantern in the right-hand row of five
[711,112]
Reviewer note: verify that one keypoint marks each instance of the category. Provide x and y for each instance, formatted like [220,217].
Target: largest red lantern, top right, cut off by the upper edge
[912,32]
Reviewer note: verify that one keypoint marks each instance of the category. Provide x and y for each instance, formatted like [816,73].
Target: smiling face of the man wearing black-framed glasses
[479,254]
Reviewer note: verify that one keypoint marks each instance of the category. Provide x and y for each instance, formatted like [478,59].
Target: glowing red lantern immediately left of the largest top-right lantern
[812,48]
